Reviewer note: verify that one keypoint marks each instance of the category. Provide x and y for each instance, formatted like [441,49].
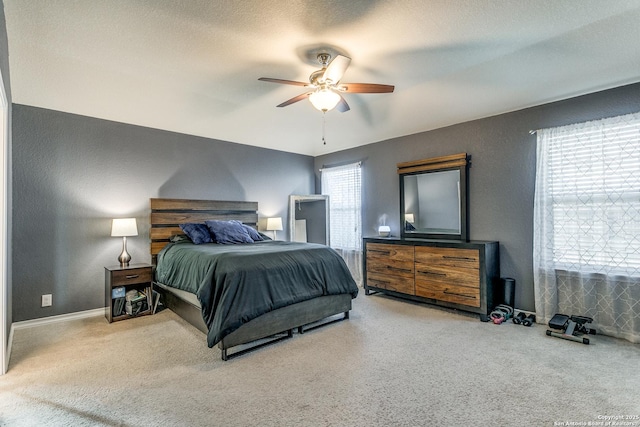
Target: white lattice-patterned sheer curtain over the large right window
[587,224]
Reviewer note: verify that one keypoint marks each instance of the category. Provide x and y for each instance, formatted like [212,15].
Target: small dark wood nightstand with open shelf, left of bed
[132,277]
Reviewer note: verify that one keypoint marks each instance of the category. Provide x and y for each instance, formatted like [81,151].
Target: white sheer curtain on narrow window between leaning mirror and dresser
[343,186]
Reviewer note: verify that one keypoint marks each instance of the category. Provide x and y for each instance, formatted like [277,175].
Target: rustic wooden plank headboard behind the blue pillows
[168,214]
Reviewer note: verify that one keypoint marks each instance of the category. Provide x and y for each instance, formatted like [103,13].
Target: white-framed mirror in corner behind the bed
[309,218]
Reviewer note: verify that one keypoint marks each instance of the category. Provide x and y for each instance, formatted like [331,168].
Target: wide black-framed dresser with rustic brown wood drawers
[449,273]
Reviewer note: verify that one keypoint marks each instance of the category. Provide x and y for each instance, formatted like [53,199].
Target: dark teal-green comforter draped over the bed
[237,283]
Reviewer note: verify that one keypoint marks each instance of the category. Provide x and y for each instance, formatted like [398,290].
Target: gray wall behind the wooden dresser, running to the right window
[501,176]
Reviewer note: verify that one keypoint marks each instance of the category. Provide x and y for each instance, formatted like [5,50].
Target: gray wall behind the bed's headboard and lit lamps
[73,174]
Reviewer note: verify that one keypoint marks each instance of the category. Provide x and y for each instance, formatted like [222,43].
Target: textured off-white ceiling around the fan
[192,66]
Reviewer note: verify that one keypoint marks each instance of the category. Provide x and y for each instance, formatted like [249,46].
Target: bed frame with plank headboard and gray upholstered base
[166,217]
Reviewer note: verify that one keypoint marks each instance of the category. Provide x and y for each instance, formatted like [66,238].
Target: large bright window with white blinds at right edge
[591,183]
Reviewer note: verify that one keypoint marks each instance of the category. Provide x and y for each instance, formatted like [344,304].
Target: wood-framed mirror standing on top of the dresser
[433,198]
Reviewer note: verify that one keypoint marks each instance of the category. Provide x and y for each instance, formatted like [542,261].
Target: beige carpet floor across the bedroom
[393,363]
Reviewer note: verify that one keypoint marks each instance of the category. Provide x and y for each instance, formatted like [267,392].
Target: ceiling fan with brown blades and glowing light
[325,88]
